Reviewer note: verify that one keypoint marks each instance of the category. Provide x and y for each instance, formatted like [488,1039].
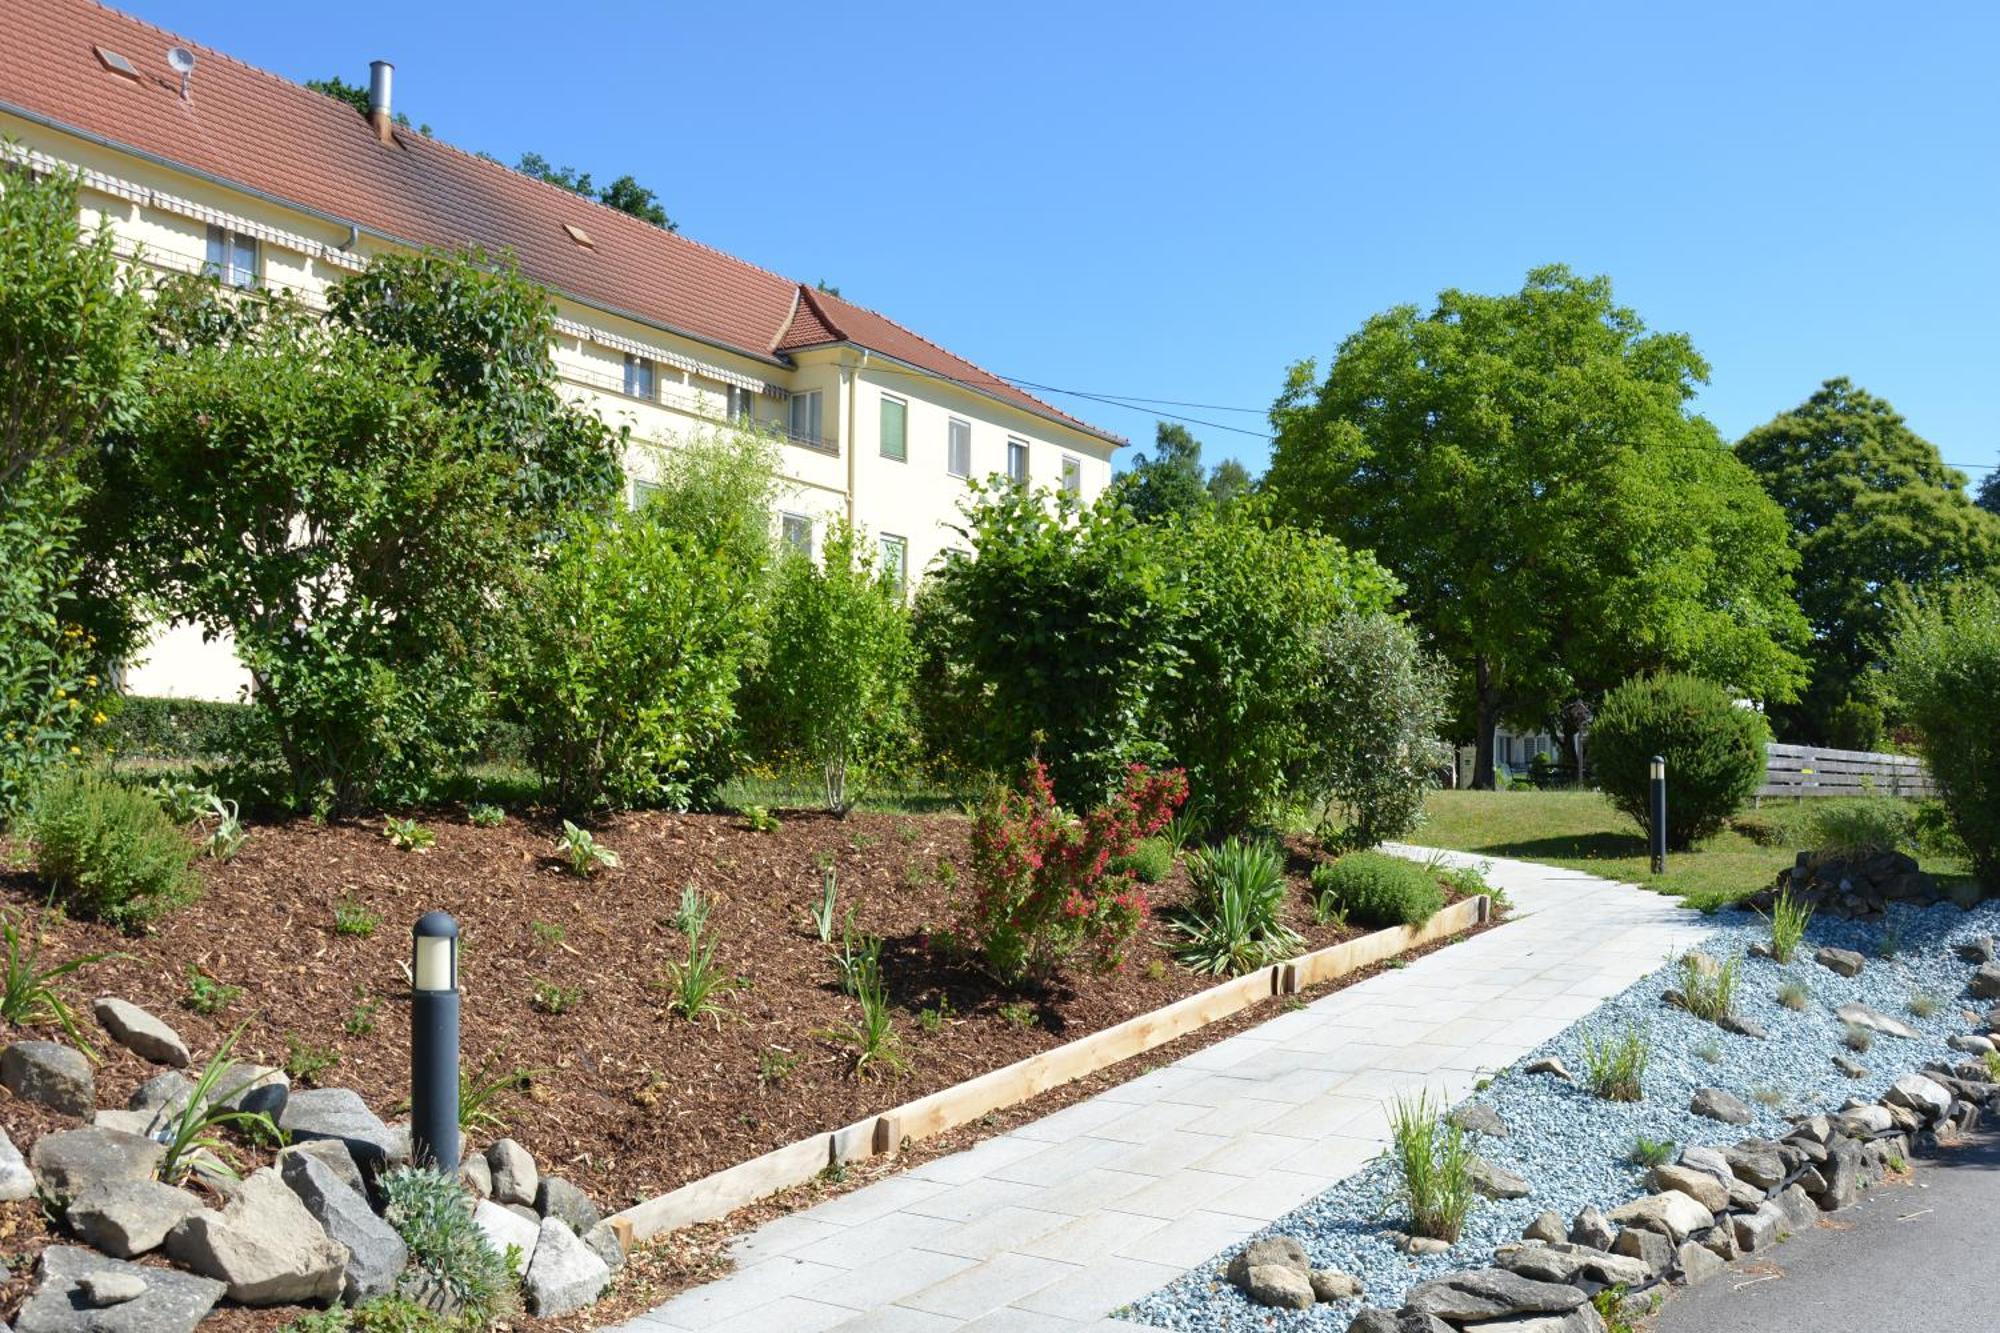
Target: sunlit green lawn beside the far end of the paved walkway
[1579,830]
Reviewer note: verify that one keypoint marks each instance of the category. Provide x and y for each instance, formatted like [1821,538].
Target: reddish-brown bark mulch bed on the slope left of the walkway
[625,1100]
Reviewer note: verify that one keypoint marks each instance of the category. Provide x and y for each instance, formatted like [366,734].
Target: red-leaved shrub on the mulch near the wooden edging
[1043,882]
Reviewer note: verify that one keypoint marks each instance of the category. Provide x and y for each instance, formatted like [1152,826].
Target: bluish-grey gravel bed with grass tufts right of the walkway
[1573,1150]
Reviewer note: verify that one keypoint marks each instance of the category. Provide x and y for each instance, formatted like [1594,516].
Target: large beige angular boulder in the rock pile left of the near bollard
[265,1246]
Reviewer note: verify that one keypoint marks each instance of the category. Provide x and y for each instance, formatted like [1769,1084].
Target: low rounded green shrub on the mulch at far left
[109,852]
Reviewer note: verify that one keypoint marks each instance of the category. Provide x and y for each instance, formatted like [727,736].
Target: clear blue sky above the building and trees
[1177,201]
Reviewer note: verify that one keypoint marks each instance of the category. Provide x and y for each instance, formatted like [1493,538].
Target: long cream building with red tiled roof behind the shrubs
[259,181]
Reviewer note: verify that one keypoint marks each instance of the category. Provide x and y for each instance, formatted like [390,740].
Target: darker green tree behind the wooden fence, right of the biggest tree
[1877,515]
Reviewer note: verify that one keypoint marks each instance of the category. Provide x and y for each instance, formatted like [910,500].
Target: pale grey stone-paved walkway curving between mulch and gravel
[1069,1218]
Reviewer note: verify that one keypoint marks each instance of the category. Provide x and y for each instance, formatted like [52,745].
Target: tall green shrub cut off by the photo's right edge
[1945,676]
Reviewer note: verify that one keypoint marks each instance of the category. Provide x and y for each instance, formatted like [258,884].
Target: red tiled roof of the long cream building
[273,137]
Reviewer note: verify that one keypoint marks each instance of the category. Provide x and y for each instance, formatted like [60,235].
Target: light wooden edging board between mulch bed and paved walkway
[747,1182]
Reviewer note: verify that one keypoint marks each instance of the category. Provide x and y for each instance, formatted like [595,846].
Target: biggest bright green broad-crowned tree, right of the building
[1531,469]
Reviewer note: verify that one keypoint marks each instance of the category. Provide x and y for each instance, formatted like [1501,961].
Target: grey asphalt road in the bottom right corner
[1913,1256]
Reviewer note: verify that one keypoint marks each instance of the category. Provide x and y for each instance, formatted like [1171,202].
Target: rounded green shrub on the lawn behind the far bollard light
[1715,754]
